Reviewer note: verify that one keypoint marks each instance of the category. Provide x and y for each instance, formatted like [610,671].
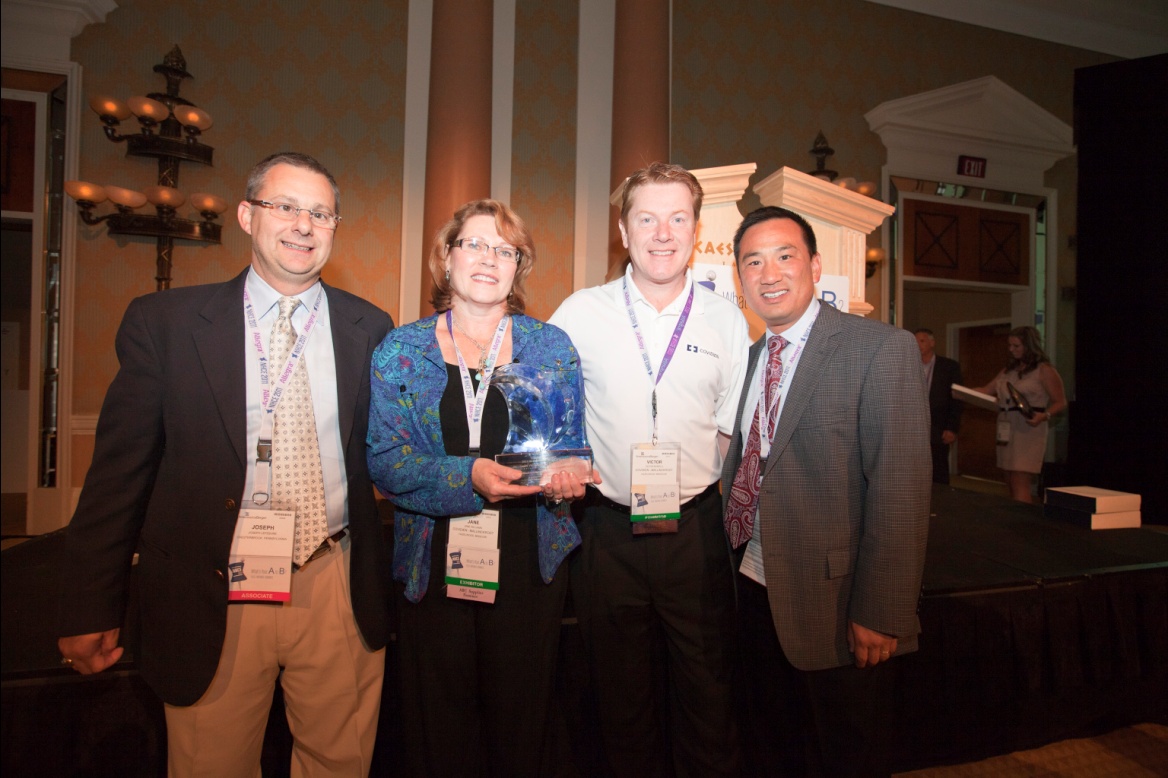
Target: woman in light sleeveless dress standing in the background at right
[1023,440]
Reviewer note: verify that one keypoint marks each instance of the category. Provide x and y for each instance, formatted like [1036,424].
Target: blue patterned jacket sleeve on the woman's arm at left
[407,459]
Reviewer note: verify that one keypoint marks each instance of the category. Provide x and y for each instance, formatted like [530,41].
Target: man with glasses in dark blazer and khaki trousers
[192,429]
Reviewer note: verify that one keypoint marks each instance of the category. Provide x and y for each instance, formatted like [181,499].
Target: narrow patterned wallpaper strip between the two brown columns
[544,145]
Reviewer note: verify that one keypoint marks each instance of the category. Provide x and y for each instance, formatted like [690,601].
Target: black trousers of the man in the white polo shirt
[627,589]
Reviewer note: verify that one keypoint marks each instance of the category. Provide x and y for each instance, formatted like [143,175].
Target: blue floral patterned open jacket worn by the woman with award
[408,459]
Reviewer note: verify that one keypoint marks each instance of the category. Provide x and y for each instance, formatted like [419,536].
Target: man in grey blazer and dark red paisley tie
[826,494]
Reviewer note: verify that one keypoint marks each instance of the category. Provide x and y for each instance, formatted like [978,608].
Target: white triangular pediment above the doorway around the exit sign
[926,134]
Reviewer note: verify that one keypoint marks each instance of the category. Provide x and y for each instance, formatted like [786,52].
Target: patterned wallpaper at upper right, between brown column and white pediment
[754,82]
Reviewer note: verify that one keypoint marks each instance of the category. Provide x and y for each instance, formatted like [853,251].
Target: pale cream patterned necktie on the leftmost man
[297,478]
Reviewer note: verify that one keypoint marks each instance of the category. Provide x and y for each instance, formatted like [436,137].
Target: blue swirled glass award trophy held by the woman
[540,420]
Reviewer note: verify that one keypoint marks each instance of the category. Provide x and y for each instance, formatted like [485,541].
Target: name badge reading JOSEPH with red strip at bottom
[260,567]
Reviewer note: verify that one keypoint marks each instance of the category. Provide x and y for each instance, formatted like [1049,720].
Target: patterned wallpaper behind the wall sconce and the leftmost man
[328,80]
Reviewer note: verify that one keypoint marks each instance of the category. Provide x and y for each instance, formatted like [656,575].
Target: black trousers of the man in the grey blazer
[831,723]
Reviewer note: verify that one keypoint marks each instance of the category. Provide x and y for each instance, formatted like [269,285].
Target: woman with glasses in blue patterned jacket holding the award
[477,676]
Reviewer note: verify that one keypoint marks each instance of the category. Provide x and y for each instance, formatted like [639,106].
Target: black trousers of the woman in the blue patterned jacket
[477,680]
